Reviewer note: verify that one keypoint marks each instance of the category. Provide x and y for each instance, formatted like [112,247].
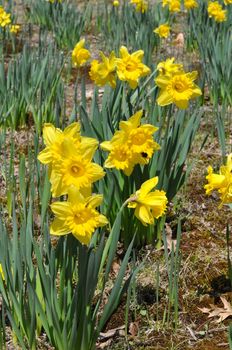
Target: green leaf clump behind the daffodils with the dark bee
[176,133]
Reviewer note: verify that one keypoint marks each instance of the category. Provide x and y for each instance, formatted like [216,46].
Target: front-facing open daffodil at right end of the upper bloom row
[178,89]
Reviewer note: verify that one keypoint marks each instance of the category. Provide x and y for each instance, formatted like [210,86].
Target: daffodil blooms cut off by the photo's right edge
[222,182]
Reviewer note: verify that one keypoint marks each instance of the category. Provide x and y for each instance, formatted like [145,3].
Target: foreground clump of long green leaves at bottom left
[53,287]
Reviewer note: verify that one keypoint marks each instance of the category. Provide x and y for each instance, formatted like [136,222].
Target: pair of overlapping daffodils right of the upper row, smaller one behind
[176,86]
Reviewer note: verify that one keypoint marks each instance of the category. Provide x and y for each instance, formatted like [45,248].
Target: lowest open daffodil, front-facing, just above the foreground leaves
[77,216]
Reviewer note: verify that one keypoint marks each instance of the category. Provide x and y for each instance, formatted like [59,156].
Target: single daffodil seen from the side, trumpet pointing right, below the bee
[149,205]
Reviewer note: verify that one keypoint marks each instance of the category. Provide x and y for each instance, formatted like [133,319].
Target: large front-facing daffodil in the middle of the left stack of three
[74,168]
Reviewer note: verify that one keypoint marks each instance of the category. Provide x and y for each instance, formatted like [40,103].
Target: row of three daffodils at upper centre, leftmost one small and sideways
[128,67]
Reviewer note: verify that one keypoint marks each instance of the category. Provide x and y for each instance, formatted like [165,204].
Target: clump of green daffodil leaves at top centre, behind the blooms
[133,28]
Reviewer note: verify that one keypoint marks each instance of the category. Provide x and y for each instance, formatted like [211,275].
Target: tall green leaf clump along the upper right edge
[215,48]
